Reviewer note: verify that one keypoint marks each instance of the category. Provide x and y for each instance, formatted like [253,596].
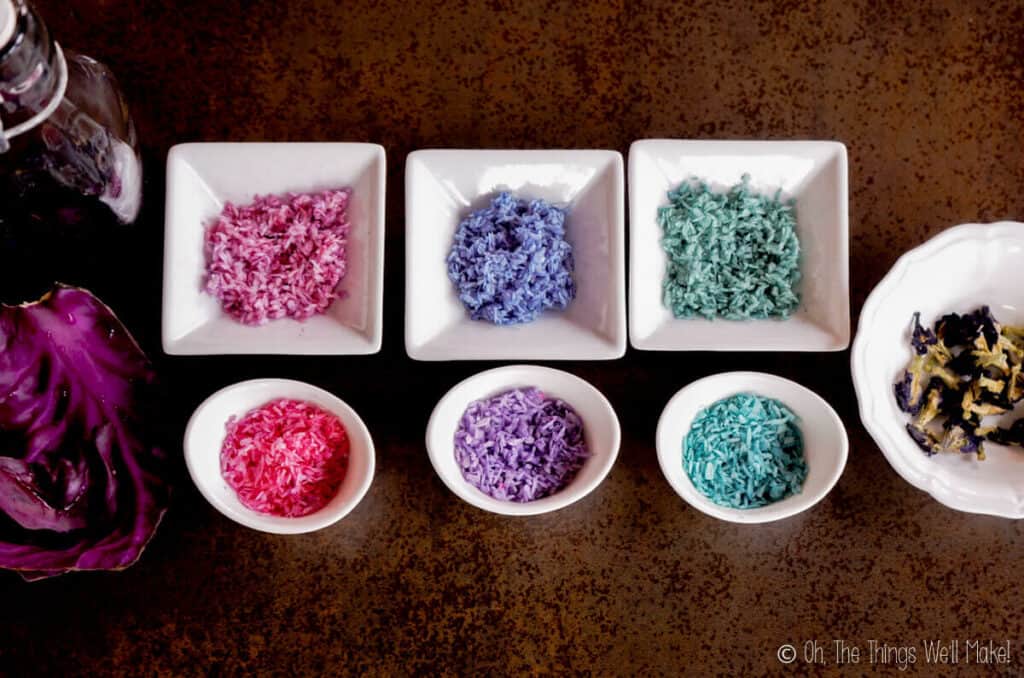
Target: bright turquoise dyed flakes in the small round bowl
[746,451]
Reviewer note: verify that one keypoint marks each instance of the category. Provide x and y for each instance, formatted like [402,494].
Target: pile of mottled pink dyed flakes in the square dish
[279,257]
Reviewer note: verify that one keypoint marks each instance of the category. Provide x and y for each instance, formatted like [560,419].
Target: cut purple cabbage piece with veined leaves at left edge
[81,477]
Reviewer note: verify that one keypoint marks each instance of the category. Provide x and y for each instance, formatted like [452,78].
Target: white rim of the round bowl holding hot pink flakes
[276,525]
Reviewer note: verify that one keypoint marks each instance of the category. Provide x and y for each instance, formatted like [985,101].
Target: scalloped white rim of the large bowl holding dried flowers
[951,496]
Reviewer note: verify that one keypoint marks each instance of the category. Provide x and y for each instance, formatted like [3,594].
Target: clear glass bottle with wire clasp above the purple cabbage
[70,165]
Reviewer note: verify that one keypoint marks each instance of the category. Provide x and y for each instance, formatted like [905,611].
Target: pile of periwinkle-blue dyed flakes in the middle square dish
[510,262]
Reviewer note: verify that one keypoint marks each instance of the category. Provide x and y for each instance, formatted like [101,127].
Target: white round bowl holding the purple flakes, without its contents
[602,434]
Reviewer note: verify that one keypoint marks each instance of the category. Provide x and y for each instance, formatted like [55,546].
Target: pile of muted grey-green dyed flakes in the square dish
[734,256]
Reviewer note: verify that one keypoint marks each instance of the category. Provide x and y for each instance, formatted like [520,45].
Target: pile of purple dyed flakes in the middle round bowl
[521,446]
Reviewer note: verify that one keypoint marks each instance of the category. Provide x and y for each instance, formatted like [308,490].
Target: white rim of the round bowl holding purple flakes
[554,502]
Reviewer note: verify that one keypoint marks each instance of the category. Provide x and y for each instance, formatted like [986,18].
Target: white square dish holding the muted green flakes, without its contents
[815,174]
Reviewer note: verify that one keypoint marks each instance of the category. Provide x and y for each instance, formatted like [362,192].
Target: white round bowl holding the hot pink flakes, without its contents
[205,437]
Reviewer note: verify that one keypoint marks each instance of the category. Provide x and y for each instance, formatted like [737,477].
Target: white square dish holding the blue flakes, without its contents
[444,187]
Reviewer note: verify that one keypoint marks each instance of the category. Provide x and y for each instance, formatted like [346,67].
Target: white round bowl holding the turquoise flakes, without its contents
[826,445]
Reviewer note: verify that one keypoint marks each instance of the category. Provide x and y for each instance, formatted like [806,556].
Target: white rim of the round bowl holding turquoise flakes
[669,459]
